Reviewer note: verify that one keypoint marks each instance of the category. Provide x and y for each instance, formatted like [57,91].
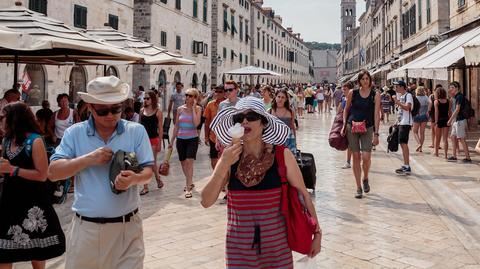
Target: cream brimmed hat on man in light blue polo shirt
[105,91]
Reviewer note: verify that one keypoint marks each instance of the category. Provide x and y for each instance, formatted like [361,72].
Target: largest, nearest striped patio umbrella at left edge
[48,41]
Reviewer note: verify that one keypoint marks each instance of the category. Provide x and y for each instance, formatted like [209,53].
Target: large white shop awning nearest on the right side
[435,63]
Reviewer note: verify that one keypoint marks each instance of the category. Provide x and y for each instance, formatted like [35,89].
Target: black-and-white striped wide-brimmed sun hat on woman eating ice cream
[276,132]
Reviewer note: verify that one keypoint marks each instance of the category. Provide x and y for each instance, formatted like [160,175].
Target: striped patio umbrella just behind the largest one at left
[152,54]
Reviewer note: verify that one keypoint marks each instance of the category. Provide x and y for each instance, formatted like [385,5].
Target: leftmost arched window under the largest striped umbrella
[35,93]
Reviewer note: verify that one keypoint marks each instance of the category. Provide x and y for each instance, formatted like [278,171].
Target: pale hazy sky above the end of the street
[315,20]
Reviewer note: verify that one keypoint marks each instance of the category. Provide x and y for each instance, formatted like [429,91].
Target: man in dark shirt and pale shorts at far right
[458,122]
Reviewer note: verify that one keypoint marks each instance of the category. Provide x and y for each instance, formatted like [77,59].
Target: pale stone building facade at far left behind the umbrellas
[81,14]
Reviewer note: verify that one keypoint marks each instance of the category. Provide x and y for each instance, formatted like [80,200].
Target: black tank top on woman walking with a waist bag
[362,109]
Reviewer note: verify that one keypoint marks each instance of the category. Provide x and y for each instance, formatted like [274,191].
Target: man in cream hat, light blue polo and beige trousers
[106,231]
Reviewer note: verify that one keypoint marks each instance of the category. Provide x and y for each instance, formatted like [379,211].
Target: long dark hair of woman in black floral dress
[19,121]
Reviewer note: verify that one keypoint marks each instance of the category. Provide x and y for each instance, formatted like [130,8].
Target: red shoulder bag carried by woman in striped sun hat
[300,224]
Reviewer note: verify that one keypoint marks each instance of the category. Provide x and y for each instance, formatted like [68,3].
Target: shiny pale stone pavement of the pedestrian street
[430,219]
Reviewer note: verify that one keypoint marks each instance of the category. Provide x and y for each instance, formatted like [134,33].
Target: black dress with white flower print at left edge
[29,226]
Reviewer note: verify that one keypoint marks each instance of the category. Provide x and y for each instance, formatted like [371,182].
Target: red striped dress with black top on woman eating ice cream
[256,233]
